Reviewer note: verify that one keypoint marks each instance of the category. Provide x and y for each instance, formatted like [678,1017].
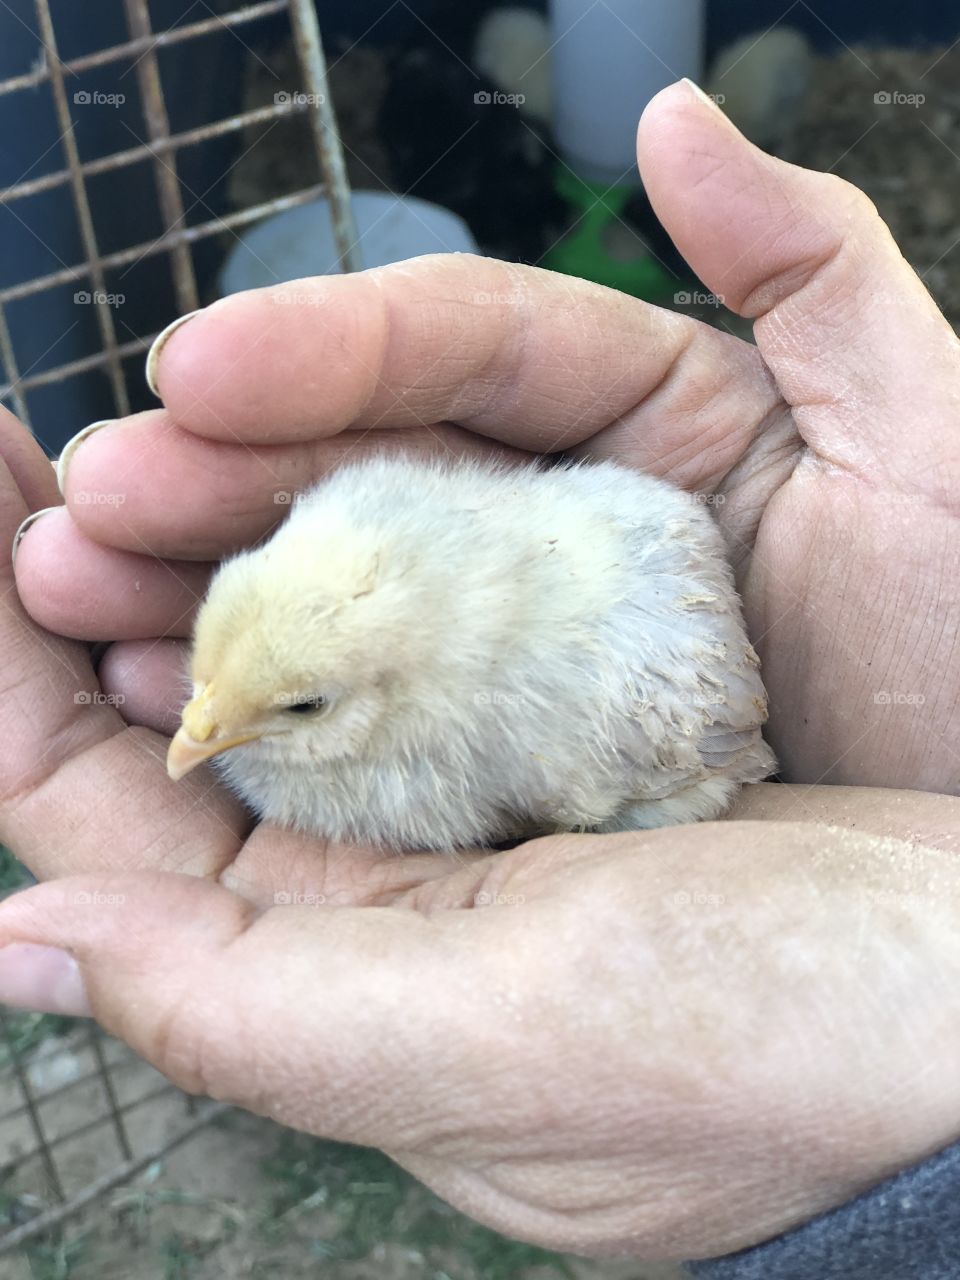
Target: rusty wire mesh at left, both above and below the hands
[162,149]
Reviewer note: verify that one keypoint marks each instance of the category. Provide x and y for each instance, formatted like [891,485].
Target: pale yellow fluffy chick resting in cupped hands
[435,655]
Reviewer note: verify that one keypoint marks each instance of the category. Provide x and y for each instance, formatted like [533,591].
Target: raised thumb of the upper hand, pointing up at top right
[852,336]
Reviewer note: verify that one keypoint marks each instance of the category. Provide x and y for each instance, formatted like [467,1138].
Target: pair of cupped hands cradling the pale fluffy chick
[675,1043]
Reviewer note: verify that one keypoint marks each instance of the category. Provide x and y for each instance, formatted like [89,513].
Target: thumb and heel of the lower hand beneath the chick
[668,1044]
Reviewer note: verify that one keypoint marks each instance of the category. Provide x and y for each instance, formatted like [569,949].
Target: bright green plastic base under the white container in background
[582,252]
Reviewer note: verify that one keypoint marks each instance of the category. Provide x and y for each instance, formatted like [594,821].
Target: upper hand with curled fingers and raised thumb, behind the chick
[824,450]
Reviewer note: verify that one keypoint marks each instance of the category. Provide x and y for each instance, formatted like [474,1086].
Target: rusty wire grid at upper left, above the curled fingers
[162,148]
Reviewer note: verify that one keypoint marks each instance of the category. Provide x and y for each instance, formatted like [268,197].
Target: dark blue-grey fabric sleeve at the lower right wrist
[906,1229]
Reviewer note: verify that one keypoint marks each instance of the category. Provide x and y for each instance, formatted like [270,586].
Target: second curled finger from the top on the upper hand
[186,497]
